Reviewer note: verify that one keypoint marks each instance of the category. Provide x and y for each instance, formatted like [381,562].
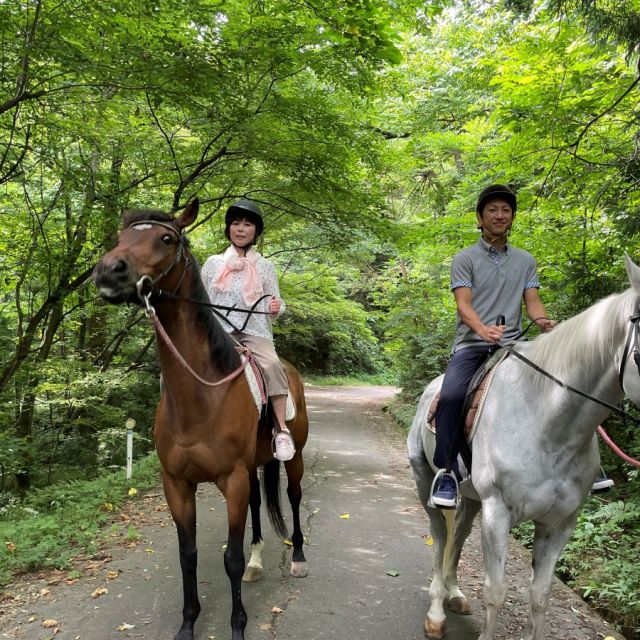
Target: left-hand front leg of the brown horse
[181,499]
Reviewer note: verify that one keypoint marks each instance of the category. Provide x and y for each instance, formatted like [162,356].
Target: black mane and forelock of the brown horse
[223,352]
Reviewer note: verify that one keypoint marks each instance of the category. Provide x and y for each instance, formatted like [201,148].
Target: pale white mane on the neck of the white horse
[589,338]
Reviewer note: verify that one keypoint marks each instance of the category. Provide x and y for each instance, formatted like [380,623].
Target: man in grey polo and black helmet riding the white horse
[489,279]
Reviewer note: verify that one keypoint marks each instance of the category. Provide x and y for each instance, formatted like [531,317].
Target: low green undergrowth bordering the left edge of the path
[54,524]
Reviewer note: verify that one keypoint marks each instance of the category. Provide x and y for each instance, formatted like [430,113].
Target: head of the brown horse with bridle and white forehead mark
[150,252]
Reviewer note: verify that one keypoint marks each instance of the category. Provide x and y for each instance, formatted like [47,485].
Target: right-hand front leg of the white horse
[548,543]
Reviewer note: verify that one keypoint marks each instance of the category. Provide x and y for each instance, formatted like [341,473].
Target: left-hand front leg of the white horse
[496,523]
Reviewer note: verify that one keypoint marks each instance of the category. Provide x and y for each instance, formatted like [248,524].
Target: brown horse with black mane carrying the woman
[207,427]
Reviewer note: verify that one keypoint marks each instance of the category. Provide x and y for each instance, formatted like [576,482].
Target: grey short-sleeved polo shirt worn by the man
[498,280]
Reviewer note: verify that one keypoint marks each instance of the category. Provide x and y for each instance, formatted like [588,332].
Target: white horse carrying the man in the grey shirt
[535,453]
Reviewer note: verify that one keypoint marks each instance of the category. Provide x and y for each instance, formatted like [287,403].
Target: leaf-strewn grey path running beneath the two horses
[369,561]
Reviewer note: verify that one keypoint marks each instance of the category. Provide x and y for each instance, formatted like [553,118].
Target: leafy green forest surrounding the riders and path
[365,130]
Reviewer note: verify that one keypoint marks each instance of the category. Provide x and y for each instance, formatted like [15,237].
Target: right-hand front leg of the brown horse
[236,490]
